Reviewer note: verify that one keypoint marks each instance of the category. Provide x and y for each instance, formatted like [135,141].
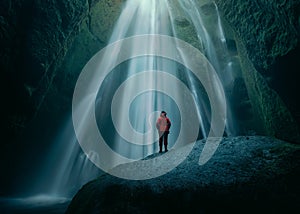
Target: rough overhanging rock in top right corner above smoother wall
[269,30]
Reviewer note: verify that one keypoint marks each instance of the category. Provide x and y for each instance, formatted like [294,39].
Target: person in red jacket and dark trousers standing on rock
[163,125]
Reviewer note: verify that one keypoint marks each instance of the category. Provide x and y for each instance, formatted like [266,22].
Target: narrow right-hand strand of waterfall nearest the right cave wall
[214,44]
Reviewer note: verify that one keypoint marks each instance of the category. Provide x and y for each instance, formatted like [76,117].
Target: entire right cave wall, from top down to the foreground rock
[267,36]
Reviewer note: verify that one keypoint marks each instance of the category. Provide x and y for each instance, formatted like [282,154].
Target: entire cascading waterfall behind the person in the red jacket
[123,103]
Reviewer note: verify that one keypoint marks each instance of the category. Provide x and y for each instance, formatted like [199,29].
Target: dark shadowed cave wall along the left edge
[35,35]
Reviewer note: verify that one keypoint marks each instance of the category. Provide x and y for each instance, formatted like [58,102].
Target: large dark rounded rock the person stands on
[245,175]
